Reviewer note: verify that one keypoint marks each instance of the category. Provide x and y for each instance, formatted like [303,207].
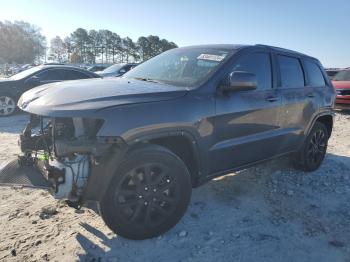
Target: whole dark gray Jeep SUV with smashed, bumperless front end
[138,144]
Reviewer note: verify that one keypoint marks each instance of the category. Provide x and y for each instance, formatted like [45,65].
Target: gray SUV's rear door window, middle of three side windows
[292,75]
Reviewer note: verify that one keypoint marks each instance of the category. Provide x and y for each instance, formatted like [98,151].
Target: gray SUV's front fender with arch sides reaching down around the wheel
[188,116]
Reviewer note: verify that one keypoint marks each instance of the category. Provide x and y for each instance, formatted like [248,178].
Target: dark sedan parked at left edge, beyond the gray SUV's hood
[13,87]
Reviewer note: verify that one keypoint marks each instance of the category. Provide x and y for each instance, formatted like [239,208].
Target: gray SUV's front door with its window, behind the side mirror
[246,122]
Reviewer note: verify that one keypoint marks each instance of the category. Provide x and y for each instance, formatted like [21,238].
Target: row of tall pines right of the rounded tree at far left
[105,46]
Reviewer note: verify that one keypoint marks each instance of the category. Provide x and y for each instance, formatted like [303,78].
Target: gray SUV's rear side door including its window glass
[297,99]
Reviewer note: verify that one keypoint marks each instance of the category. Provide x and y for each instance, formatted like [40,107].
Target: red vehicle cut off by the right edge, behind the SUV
[341,83]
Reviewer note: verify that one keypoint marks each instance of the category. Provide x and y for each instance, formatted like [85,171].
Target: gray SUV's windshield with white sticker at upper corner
[186,67]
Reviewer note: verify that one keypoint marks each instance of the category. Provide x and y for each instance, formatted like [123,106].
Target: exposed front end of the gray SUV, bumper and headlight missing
[64,150]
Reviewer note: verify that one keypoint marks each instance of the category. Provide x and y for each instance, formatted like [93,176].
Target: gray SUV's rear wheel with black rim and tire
[311,155]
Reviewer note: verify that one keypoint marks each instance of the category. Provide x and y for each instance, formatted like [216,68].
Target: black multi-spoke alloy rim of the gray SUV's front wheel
[146,195]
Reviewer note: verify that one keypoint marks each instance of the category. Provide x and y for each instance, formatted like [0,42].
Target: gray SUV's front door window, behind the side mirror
[258,64]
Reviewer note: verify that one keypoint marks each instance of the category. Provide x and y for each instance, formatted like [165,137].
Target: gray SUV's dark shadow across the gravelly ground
[232,199]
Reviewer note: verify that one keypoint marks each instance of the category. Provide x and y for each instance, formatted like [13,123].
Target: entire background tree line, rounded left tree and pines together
[23,43]
